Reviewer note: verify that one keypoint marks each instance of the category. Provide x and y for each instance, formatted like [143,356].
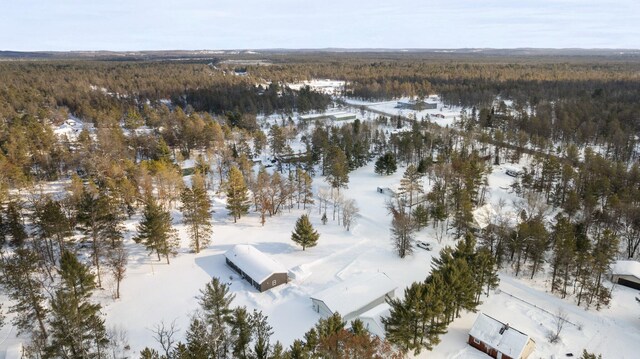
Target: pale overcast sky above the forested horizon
[62,25]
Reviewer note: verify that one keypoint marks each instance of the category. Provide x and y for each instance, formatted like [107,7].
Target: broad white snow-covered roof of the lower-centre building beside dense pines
[356,292]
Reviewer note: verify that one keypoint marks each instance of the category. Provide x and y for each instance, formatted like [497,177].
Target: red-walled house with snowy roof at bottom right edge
[499,340]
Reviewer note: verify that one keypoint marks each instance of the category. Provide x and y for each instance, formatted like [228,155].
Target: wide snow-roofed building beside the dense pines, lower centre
[354,296]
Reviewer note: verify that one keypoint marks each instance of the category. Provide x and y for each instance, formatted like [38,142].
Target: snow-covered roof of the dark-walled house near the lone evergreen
[254,263]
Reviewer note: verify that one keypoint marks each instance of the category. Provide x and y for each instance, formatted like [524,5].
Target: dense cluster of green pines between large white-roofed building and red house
[459,277]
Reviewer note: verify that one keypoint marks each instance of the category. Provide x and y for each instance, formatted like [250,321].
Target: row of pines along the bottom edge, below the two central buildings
[218,330]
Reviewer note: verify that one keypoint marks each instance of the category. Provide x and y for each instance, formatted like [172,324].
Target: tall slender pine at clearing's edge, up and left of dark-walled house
[196,211]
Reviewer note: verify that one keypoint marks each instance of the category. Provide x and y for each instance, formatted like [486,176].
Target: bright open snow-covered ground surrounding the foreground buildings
[154,292]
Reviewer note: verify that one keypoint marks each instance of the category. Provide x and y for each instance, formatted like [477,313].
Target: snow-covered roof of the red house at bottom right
[511,342]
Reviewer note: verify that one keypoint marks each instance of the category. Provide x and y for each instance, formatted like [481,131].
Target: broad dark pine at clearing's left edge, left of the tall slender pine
[155,230]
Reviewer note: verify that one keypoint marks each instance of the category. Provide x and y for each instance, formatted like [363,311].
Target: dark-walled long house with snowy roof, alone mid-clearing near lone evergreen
[257,268]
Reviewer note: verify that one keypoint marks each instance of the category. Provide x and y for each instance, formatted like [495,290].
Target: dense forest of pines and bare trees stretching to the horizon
[576,119]
